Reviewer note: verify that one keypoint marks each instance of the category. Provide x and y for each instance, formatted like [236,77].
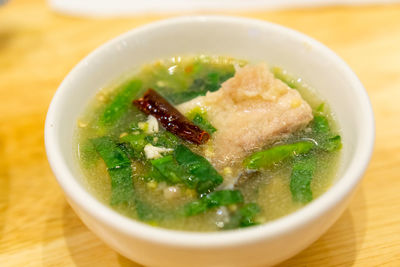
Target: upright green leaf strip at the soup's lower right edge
[301,177]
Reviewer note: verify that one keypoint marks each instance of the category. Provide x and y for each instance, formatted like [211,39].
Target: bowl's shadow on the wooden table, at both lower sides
[337,247]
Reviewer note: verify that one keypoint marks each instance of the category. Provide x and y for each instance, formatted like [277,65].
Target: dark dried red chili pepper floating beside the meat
[154,104]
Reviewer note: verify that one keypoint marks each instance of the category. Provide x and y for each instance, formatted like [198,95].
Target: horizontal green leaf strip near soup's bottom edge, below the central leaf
[212,200]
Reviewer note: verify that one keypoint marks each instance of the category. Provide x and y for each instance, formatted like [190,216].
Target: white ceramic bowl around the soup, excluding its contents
[241,38]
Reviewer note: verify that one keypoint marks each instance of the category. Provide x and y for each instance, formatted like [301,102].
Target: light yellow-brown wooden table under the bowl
[39,47]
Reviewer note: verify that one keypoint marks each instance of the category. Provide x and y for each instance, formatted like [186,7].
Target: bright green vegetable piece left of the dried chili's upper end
[120,104]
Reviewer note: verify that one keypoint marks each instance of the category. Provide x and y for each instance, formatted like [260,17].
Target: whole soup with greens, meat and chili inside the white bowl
[207,143]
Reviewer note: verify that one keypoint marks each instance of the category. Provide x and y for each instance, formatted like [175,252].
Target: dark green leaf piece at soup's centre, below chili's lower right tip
[205,177]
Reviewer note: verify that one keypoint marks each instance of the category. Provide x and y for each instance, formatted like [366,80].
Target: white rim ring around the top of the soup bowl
[338,191]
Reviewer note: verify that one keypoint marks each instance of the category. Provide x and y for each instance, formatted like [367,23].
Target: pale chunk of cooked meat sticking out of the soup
[249,111]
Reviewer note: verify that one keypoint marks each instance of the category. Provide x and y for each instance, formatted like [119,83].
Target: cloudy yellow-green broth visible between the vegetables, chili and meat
[269,188]
